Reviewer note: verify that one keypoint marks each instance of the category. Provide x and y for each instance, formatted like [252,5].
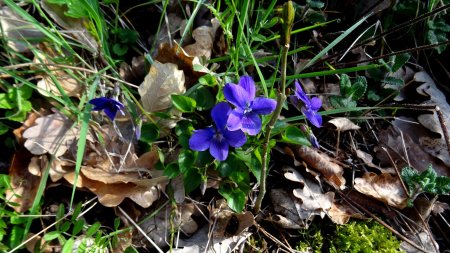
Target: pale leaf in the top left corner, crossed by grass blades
[19,34]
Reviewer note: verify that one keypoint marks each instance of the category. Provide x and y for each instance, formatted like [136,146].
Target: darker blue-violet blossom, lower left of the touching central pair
[217,139]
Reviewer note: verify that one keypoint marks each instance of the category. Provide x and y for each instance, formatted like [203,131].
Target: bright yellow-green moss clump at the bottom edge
[366,237]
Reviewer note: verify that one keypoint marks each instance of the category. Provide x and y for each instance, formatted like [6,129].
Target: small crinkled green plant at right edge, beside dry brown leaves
[425,182]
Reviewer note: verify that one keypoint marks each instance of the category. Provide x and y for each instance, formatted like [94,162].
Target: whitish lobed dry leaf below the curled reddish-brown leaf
[312,200]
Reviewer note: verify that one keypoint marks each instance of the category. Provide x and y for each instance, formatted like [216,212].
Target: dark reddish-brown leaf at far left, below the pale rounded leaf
[24,185]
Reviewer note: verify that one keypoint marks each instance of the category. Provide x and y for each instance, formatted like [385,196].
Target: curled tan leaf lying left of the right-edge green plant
[385,187]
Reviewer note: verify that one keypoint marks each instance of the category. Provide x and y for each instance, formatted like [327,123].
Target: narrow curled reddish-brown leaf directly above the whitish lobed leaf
[332,172]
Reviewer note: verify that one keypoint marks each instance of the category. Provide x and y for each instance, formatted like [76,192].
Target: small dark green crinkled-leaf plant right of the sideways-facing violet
[350,92]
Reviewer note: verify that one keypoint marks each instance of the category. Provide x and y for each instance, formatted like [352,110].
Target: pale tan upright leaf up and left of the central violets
[163,80]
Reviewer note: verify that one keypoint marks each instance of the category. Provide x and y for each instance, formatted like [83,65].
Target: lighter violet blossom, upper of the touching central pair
[245,115]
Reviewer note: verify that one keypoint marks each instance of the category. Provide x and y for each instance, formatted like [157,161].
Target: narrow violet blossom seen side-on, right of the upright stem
[309,106]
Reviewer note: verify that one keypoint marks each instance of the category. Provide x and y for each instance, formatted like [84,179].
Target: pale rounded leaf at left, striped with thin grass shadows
[51,134]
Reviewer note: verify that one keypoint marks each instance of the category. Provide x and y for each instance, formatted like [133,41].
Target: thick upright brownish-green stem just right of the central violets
[266,149]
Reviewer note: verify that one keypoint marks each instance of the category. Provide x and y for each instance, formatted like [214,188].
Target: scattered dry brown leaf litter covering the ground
[113,171]
